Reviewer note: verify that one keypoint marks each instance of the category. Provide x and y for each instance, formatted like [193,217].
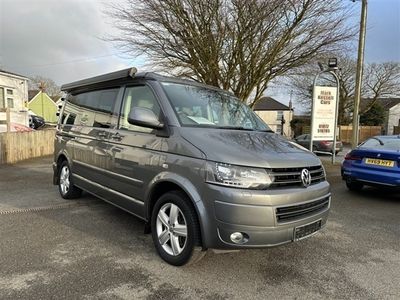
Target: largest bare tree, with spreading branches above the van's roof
[239,45]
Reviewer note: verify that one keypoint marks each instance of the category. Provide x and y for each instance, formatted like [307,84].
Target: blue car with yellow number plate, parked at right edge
[375,162]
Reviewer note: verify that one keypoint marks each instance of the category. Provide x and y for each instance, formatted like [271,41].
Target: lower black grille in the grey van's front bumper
[295,212]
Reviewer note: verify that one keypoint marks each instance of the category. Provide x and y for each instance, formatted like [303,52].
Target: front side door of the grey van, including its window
[135,151]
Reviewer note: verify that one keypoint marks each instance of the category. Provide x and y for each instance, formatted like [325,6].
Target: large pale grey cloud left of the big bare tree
[60,39]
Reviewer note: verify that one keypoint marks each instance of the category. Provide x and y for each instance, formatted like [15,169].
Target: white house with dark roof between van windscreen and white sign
[274,114]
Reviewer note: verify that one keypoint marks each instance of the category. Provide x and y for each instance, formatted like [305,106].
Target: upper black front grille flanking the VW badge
[286,177]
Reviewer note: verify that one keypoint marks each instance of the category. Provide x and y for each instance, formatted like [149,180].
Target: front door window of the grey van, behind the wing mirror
[138,96]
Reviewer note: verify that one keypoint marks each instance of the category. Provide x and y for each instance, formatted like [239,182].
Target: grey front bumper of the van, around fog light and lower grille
[254,214]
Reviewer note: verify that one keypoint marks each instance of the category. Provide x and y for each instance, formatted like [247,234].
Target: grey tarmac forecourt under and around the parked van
[52,248]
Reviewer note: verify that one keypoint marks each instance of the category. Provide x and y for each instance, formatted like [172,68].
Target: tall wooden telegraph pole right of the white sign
[360,60]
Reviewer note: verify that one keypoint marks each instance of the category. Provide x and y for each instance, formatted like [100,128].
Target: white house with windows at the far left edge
[14,95]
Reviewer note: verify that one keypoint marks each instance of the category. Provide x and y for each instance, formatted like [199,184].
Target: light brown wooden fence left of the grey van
[16,146]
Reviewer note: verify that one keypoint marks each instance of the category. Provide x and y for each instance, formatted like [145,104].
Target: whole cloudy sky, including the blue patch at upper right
[64,39]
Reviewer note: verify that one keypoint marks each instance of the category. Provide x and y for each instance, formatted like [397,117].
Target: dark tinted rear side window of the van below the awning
[92,109]
